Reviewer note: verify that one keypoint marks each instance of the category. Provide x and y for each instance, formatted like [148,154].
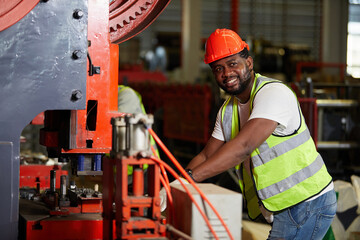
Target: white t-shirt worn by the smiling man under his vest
[275,101]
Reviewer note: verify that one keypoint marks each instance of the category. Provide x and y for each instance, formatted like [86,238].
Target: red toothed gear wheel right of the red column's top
[129,17]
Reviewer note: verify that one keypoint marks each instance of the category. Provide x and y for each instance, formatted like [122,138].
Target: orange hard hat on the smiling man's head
[223,43]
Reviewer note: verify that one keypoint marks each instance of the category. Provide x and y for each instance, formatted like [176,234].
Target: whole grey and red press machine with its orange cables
[60,57]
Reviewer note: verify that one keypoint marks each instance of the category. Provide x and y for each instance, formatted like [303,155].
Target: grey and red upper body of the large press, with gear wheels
[61,57]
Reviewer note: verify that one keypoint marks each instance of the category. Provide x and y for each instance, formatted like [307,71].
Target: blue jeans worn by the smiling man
[307,220]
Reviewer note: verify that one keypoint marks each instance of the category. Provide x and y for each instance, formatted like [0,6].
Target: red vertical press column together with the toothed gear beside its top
[89,130]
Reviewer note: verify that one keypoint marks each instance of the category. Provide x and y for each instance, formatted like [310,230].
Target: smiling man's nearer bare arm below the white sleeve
[230,154]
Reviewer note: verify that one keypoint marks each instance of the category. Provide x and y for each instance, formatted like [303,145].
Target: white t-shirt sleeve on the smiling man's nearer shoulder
[275,101]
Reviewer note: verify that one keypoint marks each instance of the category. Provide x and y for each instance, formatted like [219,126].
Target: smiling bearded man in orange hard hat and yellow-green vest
[261,131]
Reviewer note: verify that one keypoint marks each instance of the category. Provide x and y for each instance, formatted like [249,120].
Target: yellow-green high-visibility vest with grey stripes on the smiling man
[285,170]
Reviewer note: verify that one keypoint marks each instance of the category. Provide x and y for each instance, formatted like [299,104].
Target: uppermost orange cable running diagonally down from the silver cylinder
[189,179]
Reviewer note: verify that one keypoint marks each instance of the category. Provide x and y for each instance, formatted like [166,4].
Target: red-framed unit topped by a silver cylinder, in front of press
[137,210]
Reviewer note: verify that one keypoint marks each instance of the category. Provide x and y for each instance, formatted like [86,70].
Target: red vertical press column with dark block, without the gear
[89,130]
